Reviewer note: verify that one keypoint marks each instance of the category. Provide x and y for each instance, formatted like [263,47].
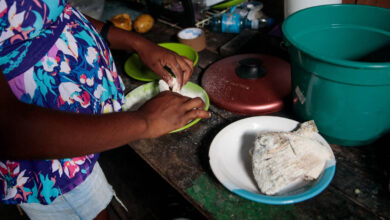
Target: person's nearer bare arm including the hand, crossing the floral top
[32,132]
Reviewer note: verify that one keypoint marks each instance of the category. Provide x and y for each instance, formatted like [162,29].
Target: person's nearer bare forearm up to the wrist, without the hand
[54,134]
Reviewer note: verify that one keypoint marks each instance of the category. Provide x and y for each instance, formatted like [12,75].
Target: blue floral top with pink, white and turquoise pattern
[53,57]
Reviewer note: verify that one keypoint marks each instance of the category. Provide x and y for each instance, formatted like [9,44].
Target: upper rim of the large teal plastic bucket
[339,62]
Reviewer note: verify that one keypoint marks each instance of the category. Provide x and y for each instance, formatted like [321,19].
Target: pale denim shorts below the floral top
[84,202]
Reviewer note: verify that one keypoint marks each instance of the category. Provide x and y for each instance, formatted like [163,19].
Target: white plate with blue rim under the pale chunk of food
[230,160]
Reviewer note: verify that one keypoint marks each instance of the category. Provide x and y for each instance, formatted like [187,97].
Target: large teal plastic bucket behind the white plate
[340,66]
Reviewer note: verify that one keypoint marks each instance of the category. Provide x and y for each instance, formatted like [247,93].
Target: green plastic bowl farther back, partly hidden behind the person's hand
[135,69]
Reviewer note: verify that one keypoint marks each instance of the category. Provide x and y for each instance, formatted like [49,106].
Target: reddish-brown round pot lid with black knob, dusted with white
[250,84]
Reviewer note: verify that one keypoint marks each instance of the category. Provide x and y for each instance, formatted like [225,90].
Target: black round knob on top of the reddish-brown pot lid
[250,68]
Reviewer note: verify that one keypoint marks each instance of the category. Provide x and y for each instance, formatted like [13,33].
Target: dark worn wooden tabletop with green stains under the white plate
[359,190]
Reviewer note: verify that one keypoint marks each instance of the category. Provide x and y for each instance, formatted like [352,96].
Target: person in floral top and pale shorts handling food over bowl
[61,98]
